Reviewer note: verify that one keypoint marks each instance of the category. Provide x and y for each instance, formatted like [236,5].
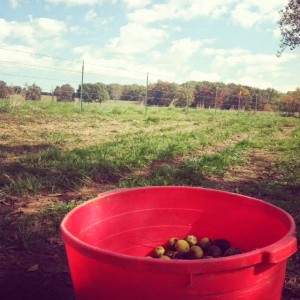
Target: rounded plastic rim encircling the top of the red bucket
[196,266]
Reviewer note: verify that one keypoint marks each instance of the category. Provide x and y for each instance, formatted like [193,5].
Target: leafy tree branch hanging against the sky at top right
[289,25]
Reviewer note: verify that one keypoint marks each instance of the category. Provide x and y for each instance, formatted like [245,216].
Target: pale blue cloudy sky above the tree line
[45,42]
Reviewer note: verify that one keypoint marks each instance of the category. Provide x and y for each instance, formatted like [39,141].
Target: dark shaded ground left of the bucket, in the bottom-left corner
[32,256]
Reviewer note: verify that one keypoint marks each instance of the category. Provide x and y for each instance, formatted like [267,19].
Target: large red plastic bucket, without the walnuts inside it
[107,240]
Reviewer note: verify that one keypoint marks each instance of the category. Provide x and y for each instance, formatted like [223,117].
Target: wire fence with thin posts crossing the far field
[94,82]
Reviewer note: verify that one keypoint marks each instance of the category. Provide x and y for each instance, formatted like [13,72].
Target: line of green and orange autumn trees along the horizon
[162,93]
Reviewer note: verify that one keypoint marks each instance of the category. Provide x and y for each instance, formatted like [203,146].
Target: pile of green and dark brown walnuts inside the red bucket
[192,248]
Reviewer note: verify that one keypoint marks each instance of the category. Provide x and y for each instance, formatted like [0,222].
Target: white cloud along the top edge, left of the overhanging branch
[246,13]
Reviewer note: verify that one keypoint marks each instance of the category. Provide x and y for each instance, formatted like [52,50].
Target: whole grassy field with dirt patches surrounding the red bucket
[52,158]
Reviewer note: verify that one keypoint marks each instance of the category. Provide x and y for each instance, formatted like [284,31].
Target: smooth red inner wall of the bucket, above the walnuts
[134,221]
